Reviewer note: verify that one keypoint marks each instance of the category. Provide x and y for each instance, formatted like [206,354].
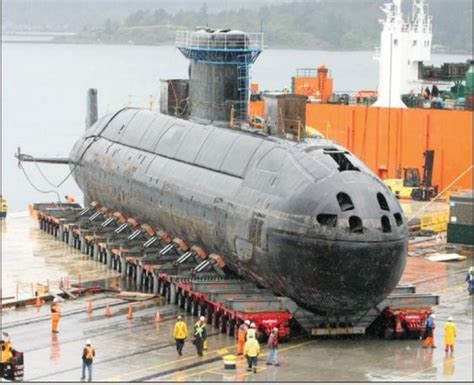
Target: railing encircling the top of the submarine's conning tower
[238,41]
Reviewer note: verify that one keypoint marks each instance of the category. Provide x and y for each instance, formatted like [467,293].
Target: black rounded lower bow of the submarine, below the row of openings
[335,276]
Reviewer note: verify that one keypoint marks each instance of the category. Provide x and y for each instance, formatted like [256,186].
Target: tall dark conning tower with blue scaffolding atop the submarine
[219,72]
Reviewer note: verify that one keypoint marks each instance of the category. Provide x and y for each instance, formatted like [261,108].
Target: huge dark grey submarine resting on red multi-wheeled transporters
[305,219]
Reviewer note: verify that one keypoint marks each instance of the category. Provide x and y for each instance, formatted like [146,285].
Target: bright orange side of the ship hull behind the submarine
[388,140]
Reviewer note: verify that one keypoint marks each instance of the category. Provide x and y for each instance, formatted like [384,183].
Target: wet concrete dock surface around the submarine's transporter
[143,350]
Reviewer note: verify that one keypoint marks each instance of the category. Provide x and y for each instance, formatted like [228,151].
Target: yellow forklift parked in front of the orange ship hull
[411,187]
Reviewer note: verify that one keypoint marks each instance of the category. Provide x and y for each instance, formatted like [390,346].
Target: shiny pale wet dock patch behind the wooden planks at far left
[30,256]
